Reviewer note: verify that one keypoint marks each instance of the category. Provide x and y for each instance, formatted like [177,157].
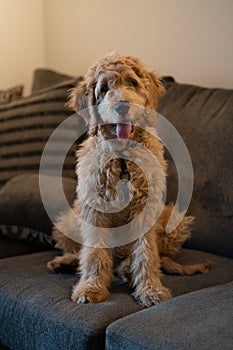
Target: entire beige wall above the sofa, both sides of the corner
[189,39]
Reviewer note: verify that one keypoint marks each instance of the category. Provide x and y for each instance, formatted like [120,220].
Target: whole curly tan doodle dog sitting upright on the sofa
[114,227]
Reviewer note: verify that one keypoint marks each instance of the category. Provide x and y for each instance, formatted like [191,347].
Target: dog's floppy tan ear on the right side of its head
[156,90]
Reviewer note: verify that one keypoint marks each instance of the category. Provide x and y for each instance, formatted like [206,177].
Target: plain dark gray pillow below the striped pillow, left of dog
[22,213]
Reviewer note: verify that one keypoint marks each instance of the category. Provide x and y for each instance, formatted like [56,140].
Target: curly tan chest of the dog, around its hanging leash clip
[102,187]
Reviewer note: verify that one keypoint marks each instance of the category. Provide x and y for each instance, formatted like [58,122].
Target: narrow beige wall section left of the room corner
[22,41]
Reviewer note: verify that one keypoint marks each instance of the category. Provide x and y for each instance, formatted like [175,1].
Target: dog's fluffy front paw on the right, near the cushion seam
[151,296]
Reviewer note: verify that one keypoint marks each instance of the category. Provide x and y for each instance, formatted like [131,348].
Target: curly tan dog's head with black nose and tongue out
[119,94]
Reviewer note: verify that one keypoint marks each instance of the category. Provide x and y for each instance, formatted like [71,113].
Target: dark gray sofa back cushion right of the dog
[203,117]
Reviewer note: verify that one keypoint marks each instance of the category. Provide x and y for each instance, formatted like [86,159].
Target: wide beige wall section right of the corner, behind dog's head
[189,39]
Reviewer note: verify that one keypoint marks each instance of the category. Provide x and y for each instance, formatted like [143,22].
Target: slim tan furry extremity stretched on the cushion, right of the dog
[170,266]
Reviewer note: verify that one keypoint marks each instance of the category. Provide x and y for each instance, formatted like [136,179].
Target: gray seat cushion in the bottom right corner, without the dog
[198,320]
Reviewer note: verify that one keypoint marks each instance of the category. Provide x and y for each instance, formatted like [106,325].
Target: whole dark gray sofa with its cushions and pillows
[36,312]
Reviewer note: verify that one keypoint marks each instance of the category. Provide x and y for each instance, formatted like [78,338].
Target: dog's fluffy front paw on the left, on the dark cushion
[87,293]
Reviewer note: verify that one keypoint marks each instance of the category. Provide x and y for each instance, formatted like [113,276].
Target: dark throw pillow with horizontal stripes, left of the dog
[25,127]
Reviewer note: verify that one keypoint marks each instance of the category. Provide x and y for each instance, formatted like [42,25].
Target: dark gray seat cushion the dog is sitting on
[37,312]
